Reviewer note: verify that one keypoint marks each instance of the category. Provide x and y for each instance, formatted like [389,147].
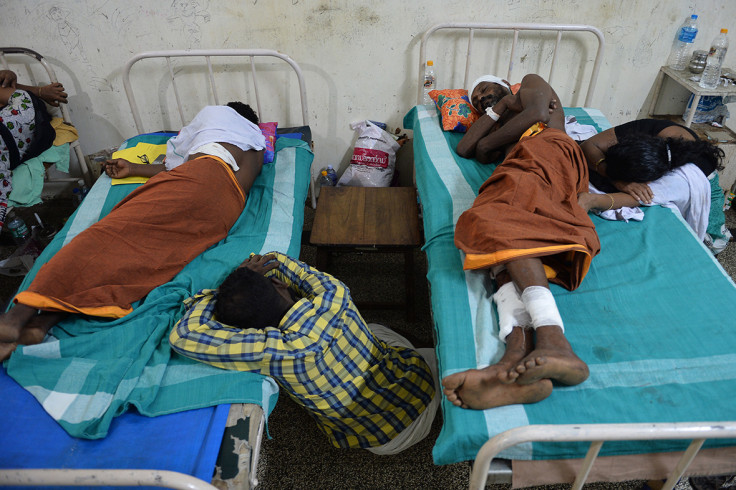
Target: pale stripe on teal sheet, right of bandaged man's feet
[658,372]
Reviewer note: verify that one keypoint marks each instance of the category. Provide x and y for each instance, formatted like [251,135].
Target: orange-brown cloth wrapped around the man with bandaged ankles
[529,208]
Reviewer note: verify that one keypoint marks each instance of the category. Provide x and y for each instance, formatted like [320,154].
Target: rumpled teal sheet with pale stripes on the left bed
[93,369]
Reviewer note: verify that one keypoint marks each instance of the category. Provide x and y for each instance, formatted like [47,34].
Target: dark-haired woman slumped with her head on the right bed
[652,161]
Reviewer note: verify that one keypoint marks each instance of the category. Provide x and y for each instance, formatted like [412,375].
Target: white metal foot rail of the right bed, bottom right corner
[597,434]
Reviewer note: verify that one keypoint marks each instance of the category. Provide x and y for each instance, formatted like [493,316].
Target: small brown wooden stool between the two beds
[377,219]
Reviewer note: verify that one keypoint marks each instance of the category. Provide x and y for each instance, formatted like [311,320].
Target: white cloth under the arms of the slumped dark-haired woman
[685,190]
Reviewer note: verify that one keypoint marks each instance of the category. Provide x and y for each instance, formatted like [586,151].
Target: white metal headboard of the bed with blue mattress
[208,54]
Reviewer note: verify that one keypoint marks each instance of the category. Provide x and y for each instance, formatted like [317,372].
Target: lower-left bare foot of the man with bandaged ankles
[480,389]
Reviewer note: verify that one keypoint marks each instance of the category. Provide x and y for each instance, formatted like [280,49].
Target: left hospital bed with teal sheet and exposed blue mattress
[107,402]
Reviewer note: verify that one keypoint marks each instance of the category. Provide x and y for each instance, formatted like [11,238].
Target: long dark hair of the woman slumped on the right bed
[643,158]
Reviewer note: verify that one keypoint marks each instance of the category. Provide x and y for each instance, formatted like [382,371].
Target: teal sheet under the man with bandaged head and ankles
[653,319]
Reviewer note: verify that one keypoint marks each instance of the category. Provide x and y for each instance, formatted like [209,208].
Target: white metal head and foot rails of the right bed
[485,467]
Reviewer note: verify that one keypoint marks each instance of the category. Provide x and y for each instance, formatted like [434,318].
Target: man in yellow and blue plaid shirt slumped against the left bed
[365,386]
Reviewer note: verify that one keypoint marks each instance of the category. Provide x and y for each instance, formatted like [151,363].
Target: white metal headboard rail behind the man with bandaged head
[516,28]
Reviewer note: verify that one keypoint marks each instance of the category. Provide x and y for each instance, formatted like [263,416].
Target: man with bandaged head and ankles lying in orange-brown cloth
[525,227]
